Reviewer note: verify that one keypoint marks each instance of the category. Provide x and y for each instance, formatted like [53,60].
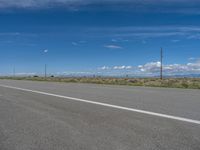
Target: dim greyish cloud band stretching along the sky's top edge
[185,6]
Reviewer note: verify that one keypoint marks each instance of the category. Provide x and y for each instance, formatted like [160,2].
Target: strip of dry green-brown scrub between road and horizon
[187,83]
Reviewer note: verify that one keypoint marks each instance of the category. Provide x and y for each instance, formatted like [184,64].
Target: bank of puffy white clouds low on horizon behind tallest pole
[153,69]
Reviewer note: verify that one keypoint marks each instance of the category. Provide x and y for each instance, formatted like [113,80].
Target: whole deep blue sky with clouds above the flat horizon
[111,37]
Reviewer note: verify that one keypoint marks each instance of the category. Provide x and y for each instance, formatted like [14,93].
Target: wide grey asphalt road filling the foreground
[40,121]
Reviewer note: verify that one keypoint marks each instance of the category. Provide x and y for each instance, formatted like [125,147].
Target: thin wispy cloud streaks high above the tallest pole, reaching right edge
[121,34]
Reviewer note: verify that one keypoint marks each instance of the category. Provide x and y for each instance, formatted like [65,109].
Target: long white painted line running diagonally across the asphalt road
[109,105]
